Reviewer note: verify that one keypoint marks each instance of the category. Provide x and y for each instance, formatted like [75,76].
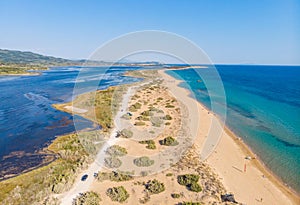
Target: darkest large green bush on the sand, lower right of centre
[190,181]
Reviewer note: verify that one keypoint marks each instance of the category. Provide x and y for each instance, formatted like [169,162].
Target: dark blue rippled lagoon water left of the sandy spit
[28,122]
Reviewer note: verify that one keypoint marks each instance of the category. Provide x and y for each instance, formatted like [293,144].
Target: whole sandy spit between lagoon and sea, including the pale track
[224,169]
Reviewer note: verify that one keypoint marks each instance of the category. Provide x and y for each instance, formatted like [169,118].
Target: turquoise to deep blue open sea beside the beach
[263,108]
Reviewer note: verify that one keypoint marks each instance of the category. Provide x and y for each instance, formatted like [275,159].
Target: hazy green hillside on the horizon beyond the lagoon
[25,57]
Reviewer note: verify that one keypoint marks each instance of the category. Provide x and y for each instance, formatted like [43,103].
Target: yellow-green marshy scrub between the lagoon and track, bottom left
[54,178]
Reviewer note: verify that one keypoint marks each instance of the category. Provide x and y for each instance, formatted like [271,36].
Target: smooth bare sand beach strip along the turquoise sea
[256,185]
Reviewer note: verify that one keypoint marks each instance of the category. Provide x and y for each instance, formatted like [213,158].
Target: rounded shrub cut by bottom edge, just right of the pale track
[87,198]
